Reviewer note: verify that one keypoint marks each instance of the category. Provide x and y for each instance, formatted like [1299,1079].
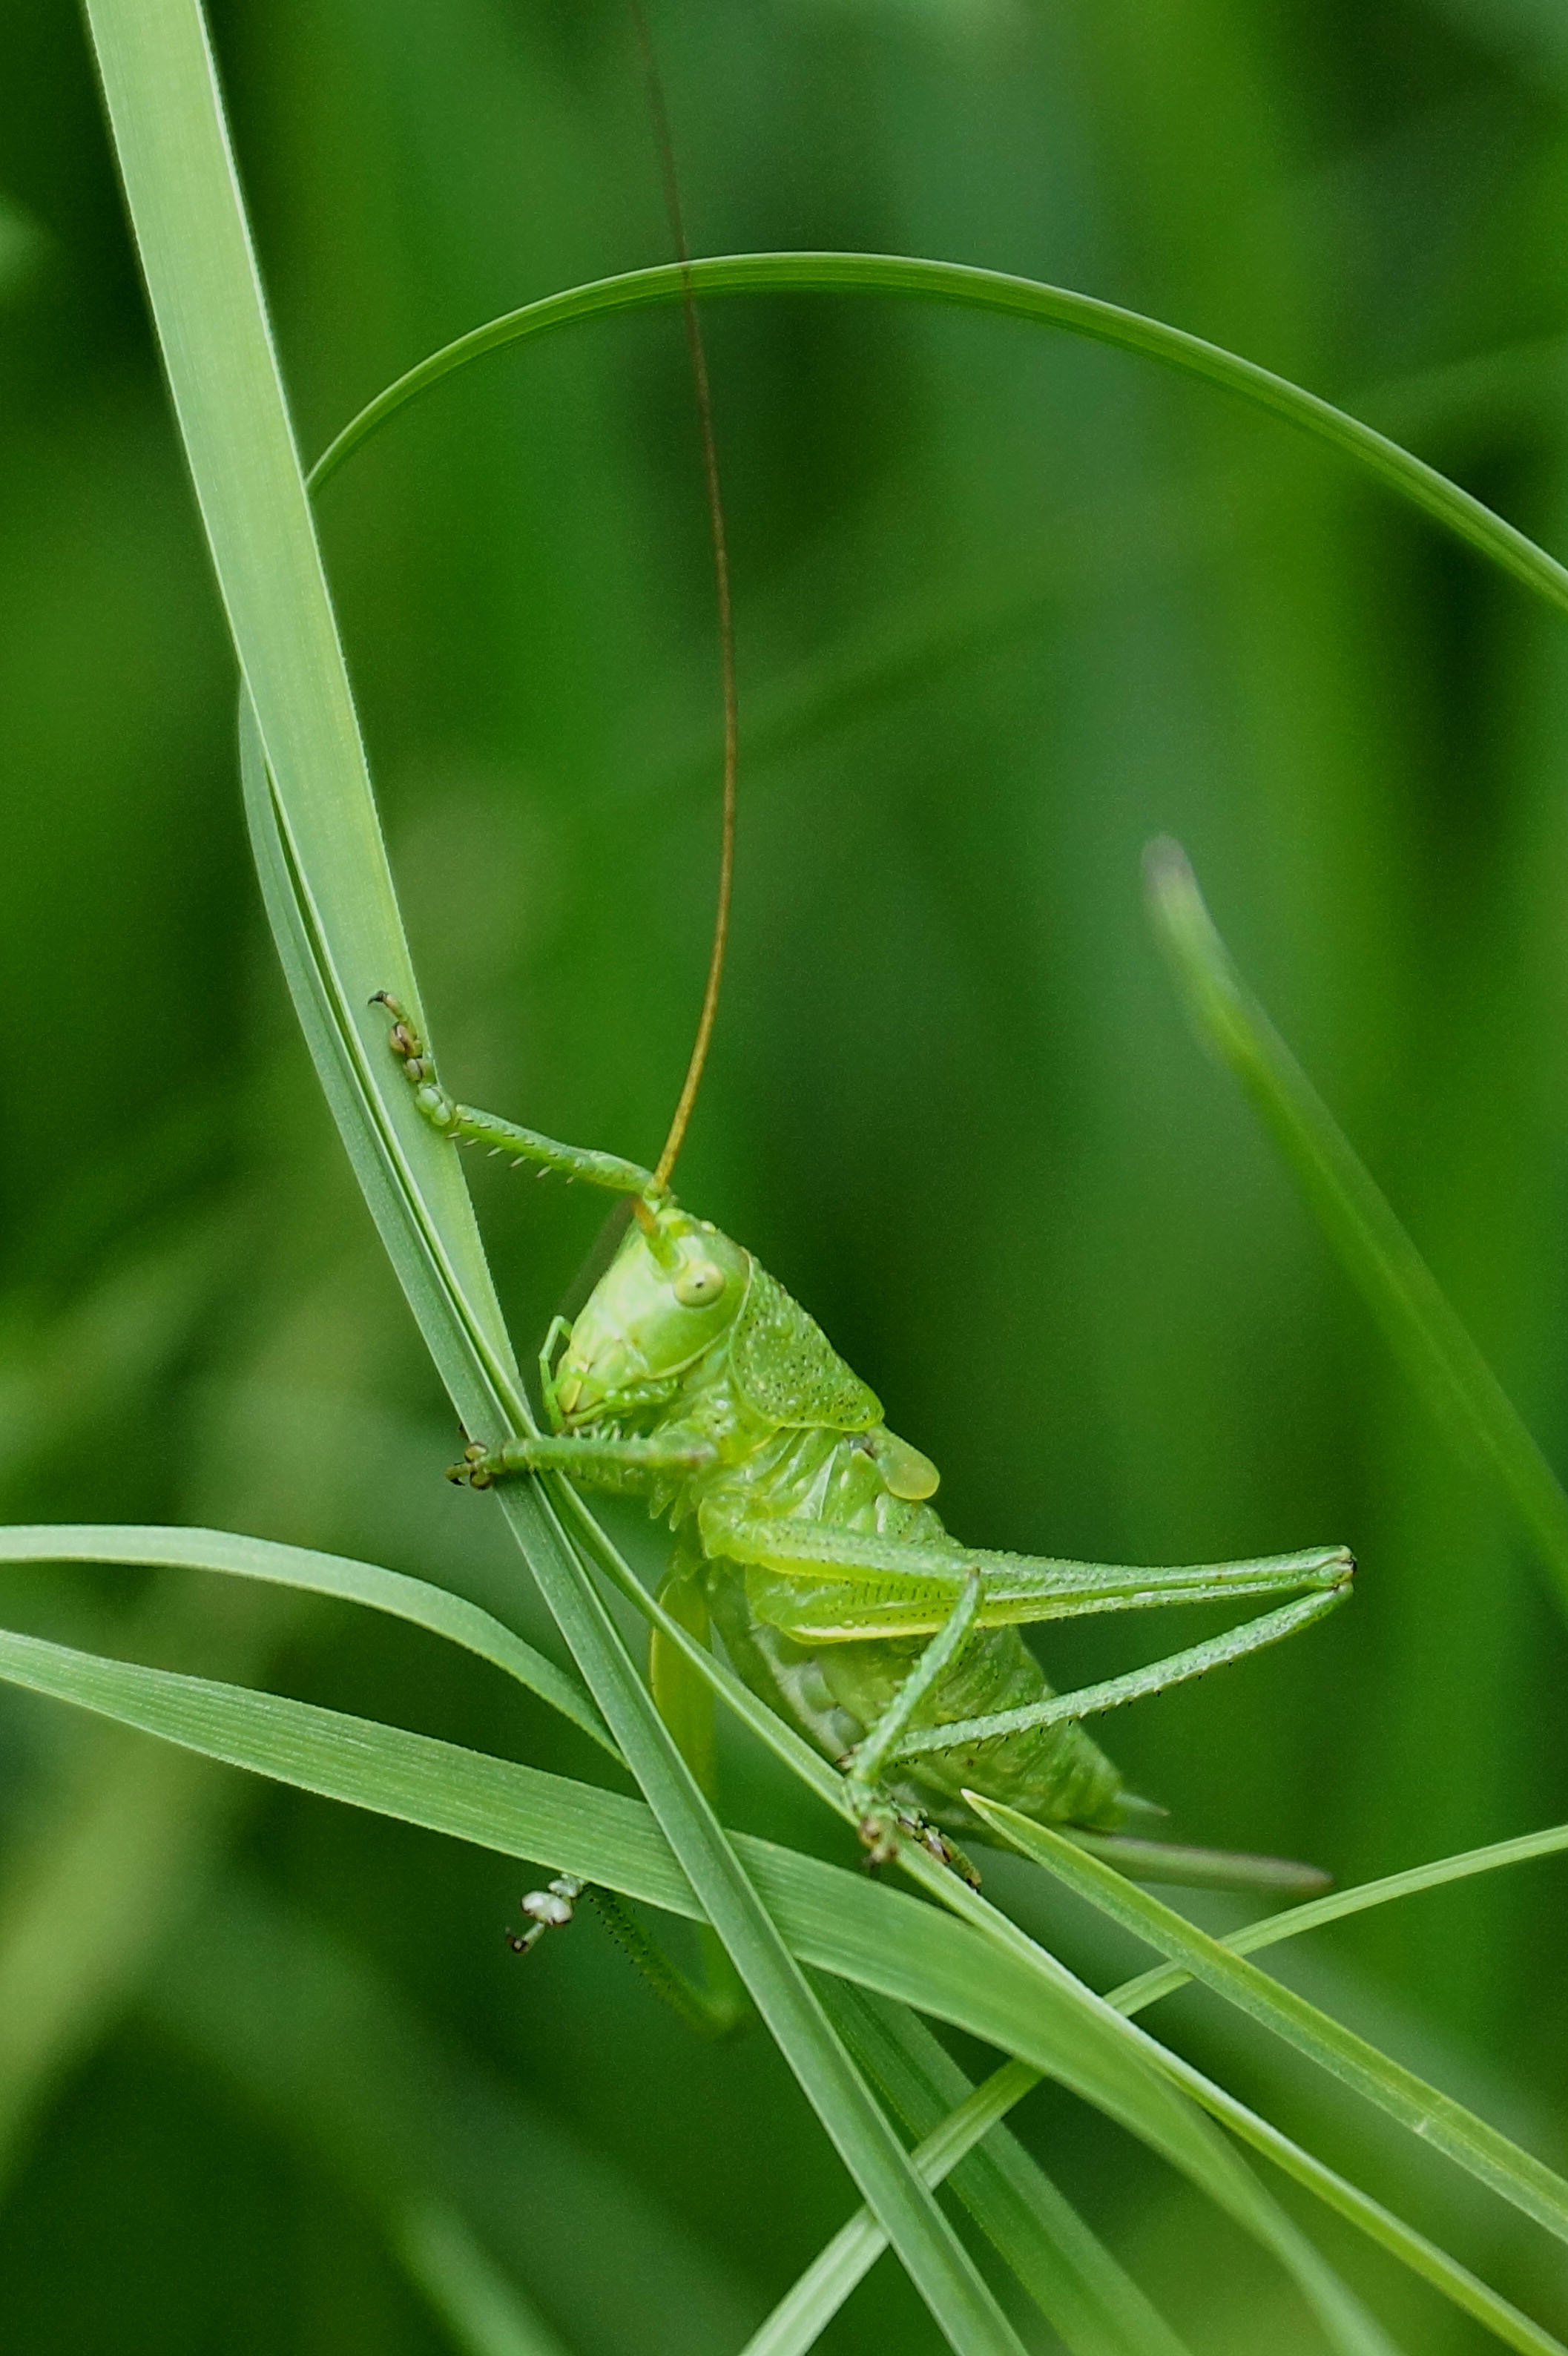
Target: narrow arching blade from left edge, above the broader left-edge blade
[317,1575]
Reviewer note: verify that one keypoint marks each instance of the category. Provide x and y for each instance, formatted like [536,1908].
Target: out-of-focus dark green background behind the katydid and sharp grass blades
[1006,607]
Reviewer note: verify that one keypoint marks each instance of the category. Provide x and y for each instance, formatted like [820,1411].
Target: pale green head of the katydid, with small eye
[675,1290]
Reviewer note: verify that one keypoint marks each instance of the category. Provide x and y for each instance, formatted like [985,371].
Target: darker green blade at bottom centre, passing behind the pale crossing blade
[1070,2275]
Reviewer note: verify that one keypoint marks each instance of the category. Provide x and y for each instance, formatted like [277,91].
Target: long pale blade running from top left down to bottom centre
[345,927]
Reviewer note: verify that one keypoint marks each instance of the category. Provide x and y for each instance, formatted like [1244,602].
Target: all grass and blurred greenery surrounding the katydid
[1006,607]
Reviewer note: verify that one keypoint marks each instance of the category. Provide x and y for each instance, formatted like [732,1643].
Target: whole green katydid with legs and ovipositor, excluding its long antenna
[809,1544]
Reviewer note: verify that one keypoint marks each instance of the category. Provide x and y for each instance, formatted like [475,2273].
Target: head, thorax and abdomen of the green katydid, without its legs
[802,1469]
